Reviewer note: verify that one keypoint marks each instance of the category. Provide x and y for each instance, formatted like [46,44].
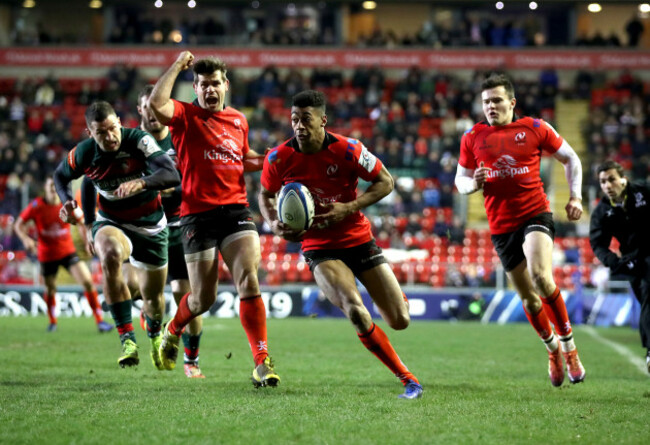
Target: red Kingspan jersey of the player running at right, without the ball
[514,190]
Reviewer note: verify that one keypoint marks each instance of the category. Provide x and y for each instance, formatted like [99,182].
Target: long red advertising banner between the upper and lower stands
[333,58]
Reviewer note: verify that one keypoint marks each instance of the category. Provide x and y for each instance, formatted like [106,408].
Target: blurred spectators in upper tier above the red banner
[293,25]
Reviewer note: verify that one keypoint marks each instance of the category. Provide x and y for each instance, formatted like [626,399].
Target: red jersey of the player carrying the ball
[331,175]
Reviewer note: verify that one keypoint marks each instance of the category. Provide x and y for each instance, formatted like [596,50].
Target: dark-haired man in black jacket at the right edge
[624,213]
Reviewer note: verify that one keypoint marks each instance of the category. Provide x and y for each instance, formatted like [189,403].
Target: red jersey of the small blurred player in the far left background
[54,238]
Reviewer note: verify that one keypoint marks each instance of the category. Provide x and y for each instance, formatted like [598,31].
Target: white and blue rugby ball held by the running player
[295,206]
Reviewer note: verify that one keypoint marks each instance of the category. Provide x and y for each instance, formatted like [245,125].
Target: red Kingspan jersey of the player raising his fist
[211,149]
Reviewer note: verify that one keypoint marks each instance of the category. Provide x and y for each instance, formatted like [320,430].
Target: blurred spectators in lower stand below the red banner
[413,124]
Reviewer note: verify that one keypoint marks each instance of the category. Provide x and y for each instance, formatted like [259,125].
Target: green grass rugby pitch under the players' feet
[483,384]
